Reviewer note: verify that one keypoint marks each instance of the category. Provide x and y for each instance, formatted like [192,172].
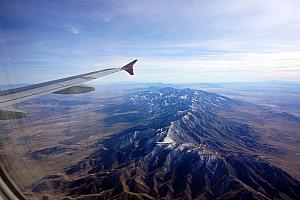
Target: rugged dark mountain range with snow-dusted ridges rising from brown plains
[179,148]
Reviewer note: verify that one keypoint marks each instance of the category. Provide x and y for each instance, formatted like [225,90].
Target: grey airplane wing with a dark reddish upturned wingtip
[67,85]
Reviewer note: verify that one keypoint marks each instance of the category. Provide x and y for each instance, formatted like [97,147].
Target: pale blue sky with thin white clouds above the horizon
[181,41]
